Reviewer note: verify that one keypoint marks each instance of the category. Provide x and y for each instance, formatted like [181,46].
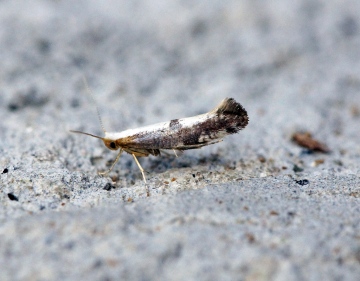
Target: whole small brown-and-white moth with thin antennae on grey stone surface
[229,117]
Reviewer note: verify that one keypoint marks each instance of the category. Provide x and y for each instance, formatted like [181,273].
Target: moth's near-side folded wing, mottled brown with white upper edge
[227,118]
